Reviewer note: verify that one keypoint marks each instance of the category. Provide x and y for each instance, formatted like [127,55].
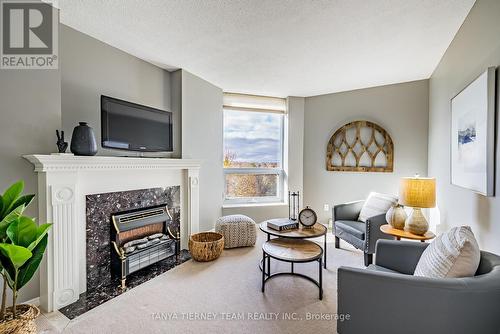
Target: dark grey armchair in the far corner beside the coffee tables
[364,236]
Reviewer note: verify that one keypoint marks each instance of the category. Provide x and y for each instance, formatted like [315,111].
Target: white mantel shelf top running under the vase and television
[55,163]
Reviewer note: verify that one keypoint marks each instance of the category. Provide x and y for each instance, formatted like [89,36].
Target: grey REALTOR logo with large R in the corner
[29,35]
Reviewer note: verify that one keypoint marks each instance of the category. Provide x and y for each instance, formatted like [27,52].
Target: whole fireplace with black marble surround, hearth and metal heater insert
[131,237]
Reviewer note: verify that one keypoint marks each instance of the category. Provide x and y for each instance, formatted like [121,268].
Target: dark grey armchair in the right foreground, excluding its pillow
[387,298]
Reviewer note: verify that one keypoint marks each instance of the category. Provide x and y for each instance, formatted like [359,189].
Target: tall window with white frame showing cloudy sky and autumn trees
[253,148]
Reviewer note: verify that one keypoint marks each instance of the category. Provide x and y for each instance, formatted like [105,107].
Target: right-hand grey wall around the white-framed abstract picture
[475,47]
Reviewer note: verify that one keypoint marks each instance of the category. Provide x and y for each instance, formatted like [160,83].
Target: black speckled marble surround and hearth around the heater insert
[101,286]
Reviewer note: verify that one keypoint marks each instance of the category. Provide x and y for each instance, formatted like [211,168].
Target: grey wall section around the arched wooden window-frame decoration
[401,109]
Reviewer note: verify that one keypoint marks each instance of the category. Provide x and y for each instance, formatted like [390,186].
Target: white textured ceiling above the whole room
[279,47]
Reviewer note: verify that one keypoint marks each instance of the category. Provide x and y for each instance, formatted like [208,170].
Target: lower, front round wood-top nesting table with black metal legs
[292,251]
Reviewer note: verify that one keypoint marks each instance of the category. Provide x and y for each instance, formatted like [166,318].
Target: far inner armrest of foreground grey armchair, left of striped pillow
[401,256]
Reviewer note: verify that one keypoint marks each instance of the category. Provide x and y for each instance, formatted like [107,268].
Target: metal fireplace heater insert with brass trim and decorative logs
[141,238]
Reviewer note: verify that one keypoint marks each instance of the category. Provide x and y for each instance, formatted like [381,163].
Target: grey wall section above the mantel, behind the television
[91,68]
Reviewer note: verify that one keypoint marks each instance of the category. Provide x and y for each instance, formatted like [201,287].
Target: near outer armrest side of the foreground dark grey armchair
[381,302]
